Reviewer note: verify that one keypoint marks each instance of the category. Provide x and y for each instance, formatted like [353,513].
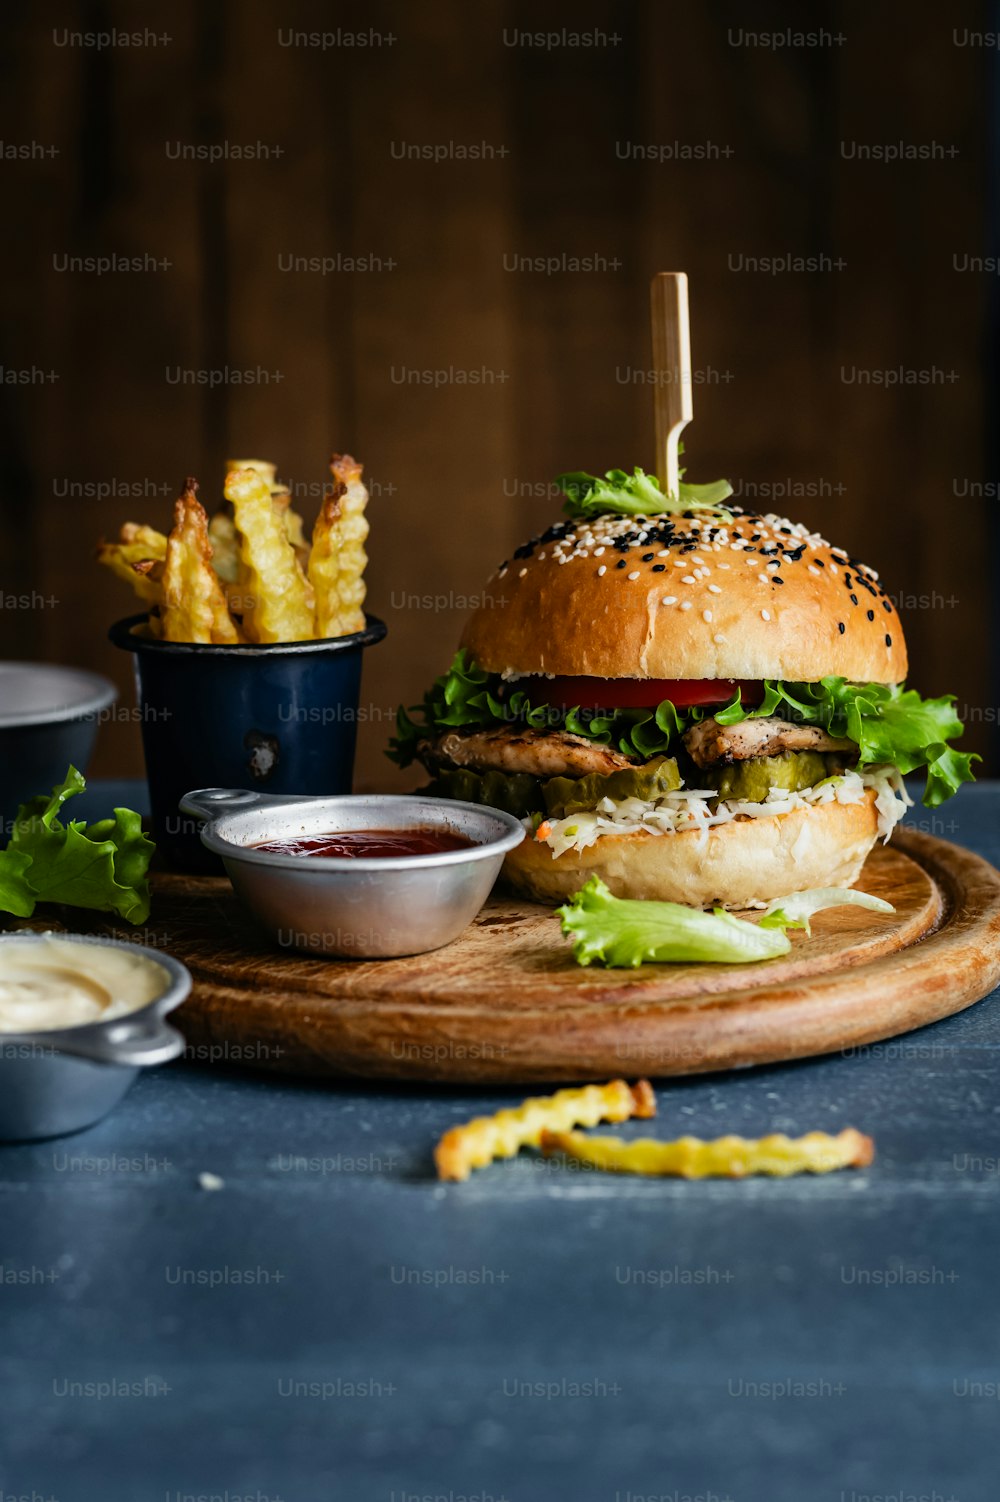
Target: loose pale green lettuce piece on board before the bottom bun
[625,933]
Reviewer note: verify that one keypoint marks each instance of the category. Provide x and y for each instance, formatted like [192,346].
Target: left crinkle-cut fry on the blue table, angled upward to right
[478,1142]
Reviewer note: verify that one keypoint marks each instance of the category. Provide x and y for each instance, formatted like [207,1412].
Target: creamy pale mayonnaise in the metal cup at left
[62,983]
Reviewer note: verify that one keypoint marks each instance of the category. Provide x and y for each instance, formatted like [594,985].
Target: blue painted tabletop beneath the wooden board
[333,1324]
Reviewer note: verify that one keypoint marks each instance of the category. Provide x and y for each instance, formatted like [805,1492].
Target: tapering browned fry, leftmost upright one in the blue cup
[194,605]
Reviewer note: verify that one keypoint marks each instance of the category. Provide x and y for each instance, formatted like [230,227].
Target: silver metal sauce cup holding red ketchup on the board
[366,908]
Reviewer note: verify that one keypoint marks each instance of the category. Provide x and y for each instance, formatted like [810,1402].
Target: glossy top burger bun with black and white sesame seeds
[696,594]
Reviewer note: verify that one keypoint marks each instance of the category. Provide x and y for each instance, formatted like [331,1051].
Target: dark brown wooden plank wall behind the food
[460,472]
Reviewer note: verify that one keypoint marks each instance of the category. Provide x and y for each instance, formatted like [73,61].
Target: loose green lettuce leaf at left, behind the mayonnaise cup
[101,866]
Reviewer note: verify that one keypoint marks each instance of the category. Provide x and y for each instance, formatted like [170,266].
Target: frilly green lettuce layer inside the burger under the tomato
[890,723]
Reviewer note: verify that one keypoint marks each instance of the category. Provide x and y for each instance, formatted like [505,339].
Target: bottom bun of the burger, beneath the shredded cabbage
[738,864]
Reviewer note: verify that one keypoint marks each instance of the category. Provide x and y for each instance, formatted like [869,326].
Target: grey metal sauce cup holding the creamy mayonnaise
[61,1081]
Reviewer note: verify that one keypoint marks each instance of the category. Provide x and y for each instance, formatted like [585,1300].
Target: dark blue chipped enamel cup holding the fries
[279,719]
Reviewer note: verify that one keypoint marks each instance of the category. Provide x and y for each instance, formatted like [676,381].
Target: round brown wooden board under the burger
[507,1003]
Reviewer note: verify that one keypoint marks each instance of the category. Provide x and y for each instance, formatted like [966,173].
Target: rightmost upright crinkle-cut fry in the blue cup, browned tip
[337,558]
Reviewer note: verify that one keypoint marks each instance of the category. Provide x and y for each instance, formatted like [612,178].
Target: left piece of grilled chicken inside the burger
[543,753]
